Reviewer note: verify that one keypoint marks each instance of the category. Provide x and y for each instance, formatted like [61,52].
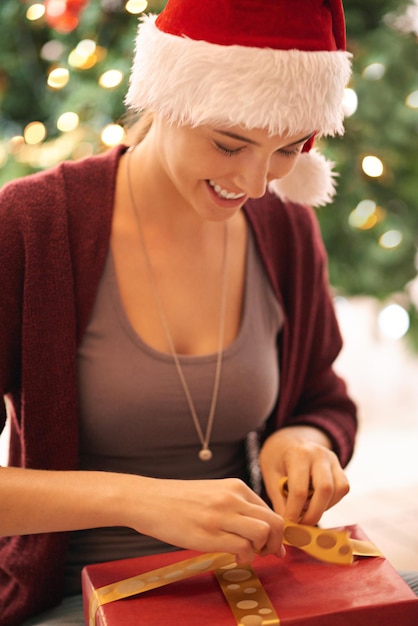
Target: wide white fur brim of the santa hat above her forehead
[195,82]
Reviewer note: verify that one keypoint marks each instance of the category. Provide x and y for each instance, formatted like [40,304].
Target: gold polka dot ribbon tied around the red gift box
[240,584]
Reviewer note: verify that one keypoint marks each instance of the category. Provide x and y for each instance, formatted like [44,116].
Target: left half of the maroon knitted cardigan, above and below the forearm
[54,235]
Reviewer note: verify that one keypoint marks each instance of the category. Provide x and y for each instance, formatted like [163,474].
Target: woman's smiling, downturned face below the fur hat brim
[216,169]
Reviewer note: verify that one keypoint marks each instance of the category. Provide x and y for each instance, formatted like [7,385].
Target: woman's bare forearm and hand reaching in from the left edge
[212,515]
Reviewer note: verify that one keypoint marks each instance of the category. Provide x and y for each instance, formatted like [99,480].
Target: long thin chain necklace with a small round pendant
[205,453]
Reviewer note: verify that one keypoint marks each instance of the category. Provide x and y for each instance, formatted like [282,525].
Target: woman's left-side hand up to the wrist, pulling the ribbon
[211,515]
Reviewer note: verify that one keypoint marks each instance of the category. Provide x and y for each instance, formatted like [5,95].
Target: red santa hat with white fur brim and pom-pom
[275,64]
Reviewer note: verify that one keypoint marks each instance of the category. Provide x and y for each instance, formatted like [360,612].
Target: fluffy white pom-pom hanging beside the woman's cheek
[311,181]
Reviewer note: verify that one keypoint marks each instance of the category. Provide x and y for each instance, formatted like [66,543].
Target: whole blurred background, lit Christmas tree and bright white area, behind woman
[64,67]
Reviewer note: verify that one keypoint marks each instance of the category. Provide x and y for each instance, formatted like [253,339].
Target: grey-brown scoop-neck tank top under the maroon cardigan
[134,416]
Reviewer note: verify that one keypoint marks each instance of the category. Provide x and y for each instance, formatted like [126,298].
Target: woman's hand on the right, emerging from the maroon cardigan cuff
[304,455]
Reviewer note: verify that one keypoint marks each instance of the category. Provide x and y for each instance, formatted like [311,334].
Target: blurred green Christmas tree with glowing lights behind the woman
[64,66]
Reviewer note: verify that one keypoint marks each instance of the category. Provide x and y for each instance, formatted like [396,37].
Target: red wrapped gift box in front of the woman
[303,591]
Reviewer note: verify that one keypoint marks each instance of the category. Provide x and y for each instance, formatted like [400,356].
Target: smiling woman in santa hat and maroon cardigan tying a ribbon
[167,334]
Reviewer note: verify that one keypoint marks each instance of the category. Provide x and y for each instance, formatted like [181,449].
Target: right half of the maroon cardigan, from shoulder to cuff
[311,393]
